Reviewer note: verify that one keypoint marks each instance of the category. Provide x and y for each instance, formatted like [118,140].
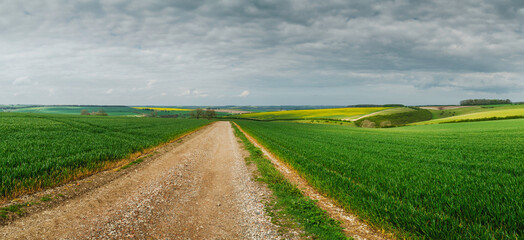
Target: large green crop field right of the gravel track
[447,181]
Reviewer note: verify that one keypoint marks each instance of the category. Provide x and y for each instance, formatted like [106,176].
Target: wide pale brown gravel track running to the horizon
[197,189]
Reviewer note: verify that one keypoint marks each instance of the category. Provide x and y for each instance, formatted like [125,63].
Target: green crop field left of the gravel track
[43,150]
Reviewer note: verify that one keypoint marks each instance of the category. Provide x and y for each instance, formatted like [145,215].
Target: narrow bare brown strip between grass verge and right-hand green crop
[353,226]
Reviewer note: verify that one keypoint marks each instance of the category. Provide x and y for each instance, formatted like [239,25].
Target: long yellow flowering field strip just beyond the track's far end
[331,113]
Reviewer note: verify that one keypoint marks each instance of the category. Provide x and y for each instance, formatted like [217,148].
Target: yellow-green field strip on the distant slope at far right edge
[478,115]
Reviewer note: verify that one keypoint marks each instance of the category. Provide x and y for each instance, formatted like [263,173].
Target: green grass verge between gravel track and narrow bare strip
[289,200]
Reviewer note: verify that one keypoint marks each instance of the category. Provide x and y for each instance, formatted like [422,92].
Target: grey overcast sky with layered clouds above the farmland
[266,52]
